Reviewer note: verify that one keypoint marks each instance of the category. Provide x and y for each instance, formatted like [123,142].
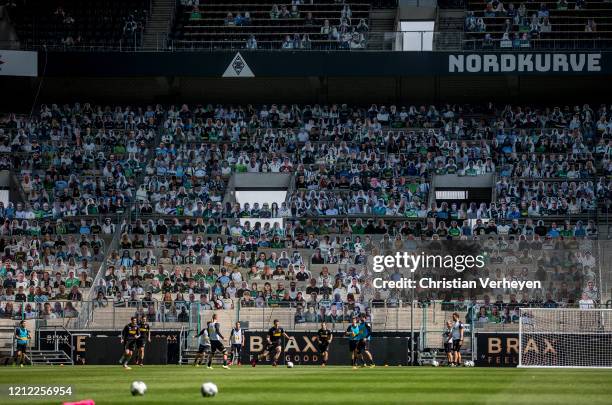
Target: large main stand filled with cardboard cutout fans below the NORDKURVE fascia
[115,225]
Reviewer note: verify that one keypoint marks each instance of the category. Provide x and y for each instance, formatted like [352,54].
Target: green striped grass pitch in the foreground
[315,385]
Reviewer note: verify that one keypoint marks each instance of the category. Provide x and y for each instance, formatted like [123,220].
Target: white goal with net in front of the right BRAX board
[565,337]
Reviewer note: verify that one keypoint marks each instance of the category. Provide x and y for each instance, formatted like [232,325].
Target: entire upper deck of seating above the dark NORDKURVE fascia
[353,25]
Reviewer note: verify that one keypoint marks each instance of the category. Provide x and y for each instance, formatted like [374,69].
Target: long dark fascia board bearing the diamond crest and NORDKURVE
[244,65]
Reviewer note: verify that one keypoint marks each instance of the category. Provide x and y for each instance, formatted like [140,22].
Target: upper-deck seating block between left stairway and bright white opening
[256,25]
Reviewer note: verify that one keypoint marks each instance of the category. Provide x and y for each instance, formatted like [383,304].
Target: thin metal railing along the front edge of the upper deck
[372,41]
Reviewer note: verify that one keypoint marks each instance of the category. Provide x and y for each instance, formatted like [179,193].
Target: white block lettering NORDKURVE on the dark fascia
[524,62]
